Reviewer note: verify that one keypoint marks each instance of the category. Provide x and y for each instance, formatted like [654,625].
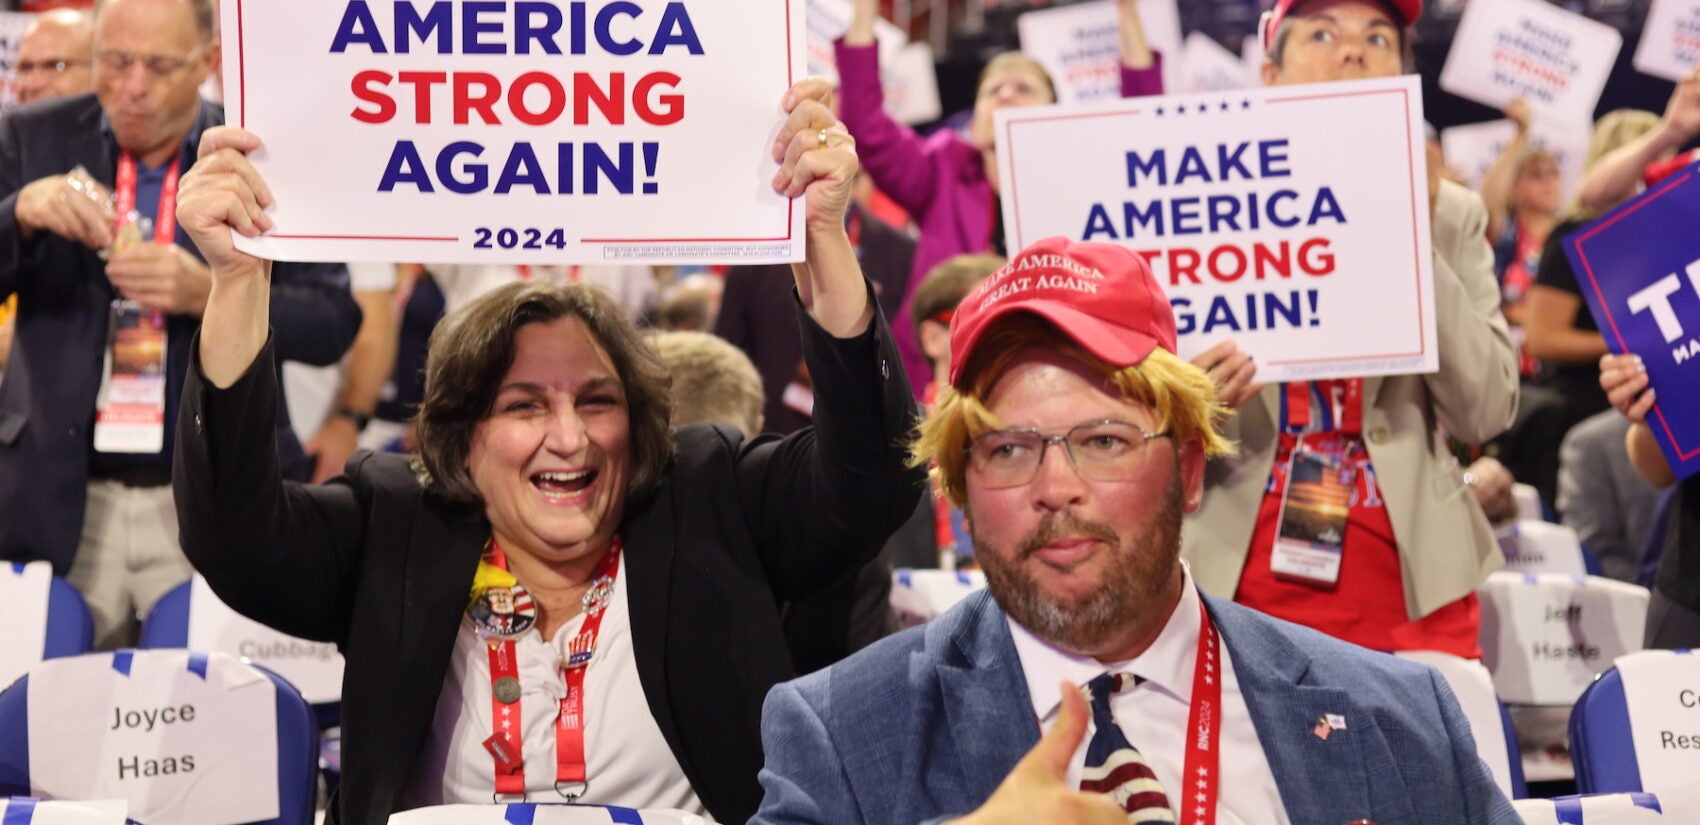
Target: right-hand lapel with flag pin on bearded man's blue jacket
[1322,780]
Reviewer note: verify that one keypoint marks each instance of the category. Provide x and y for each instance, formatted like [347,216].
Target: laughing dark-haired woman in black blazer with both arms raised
[558,600]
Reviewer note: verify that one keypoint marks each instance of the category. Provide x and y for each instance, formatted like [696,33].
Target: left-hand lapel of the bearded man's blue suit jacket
[987,703]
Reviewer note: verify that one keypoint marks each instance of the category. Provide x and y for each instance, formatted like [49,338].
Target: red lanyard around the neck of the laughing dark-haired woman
[506,744]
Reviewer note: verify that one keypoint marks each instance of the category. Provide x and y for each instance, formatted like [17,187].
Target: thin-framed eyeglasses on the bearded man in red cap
[1102,452]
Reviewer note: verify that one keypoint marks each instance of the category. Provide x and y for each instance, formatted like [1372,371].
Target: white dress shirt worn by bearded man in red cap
[1153,714]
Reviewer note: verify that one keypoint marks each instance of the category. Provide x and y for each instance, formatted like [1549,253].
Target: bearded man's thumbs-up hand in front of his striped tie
[1038,788]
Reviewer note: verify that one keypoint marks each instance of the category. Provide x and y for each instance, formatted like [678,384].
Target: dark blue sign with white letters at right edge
[1643,285]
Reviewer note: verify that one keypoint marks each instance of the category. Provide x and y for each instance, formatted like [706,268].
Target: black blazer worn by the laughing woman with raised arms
[383,569]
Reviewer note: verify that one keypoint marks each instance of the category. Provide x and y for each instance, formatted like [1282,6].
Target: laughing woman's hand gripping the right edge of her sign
[817,154]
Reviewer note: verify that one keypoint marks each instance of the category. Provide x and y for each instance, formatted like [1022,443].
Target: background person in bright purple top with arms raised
[949,183]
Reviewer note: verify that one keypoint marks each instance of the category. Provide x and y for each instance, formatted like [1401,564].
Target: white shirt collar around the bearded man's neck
[1167,664]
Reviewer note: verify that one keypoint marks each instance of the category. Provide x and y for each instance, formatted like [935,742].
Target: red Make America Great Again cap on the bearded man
[1101,295]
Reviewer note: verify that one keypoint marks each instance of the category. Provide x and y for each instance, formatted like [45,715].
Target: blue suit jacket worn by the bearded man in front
[926,725]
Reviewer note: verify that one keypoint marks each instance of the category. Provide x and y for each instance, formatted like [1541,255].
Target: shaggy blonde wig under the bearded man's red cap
[1181,395]
